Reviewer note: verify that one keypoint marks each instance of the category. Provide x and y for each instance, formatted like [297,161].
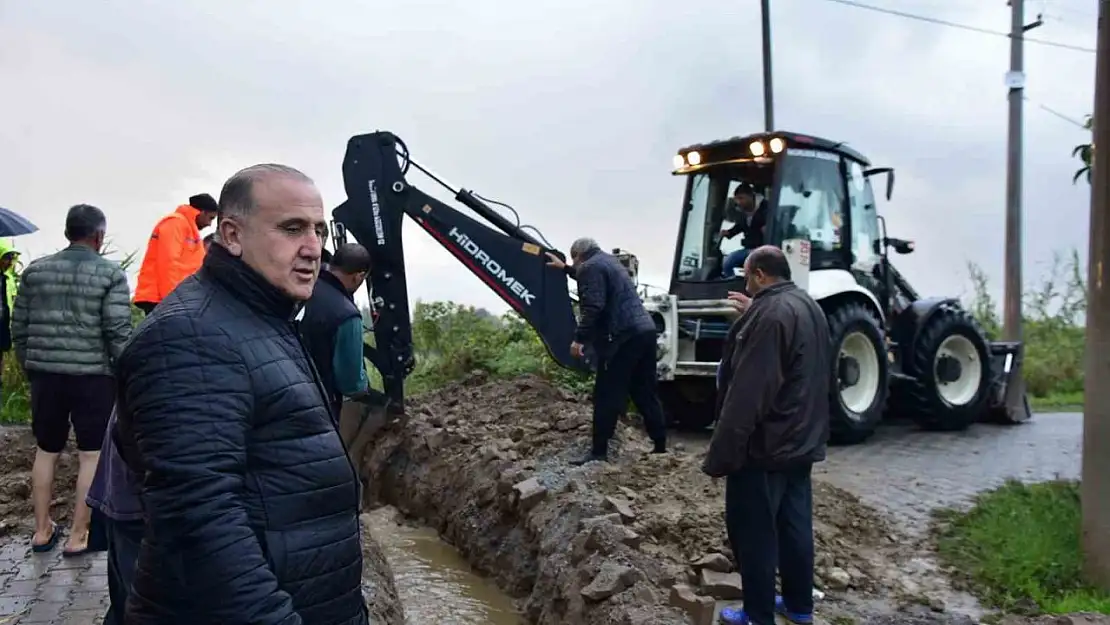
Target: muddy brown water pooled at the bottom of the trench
[435,582]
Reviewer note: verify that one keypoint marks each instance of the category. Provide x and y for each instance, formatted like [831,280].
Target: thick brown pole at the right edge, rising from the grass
[1096,473]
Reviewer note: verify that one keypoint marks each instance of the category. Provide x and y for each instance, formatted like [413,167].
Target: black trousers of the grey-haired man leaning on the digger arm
[629,372]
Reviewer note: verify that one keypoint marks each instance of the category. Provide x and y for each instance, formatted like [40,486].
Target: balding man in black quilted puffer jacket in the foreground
[250,501]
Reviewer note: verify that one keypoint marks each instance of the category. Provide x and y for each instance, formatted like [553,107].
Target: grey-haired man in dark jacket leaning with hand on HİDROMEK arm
[613,320]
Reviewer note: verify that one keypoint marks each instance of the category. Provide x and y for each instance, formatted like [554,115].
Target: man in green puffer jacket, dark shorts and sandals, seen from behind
[70,321]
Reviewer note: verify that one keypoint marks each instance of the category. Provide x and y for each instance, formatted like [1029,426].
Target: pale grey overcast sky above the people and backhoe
[570,110]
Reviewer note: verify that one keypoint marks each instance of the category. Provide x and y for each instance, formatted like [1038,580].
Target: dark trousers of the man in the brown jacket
[770,519]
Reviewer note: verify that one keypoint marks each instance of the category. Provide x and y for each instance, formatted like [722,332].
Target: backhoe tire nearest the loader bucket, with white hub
[951,367]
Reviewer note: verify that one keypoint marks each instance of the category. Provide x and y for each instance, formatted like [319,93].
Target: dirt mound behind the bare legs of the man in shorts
[16,512]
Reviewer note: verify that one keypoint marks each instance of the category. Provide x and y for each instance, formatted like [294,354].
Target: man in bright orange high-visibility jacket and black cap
[175,251]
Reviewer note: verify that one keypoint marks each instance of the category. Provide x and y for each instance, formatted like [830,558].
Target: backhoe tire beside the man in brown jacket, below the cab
[860,370]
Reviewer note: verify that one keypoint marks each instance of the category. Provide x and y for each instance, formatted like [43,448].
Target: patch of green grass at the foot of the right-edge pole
[1018,549]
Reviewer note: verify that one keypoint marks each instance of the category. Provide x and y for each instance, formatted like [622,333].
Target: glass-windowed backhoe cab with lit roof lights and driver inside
[770,189]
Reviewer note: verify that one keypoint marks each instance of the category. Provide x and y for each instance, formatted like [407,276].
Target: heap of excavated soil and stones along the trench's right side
[640,540]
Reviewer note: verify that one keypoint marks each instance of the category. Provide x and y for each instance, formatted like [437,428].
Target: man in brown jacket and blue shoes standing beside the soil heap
[773,426]
